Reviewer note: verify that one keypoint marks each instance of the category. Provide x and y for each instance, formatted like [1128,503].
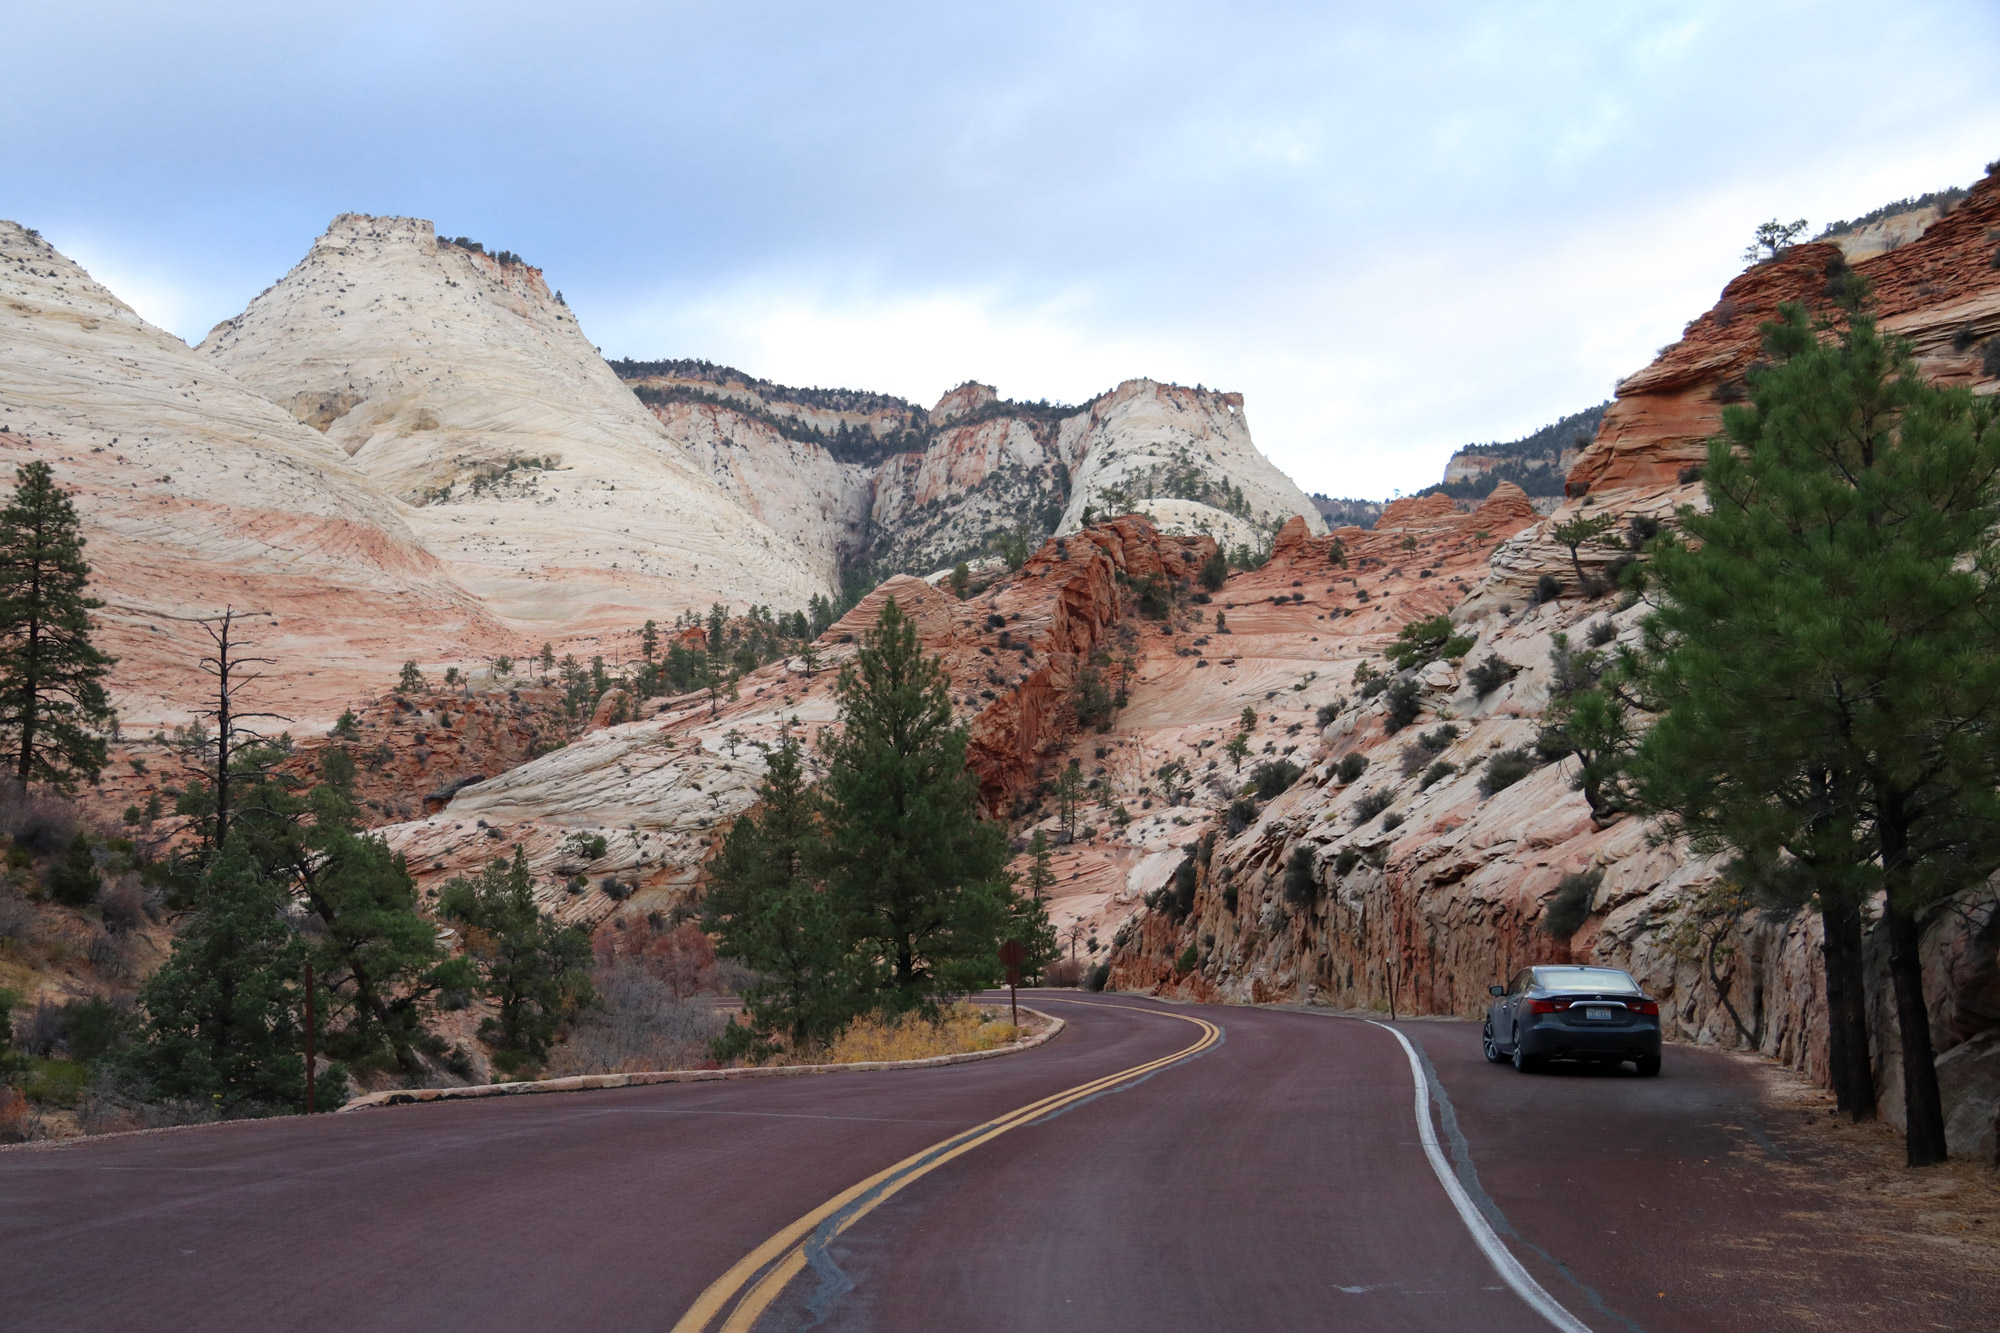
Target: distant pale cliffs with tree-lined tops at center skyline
[877,483]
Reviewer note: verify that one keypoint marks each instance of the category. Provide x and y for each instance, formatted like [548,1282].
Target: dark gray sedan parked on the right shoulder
[1573,1014]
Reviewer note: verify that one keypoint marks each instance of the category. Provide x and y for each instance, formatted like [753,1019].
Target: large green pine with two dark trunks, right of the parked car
[1829,661]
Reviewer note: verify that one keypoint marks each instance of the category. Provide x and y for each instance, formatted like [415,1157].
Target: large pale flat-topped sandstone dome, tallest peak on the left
[465,387]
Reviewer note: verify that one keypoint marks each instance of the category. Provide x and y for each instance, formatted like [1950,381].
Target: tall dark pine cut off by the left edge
[53,704]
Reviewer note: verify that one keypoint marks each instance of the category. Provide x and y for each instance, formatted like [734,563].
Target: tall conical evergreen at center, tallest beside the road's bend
[917,876]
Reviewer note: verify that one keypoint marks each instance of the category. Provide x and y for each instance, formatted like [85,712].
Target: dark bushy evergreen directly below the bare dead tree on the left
[223,1014]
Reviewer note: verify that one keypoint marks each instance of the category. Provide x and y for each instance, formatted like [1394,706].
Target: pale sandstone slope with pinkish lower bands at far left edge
[201,495]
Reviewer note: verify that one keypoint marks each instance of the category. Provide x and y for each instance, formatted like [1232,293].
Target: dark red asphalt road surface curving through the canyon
[1275,1182]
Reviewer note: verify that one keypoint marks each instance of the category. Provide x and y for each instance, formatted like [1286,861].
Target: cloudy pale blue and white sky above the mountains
[1393,227]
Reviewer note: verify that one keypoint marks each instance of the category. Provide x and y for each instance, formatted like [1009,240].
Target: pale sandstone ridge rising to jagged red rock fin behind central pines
[663,790]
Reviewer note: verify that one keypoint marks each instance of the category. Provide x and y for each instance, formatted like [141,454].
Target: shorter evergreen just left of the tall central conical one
[769,910]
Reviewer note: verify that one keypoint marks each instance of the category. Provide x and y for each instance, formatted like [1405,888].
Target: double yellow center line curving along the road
[765,1272]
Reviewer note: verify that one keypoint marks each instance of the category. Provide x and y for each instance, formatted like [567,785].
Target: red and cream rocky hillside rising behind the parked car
[1415,886]
